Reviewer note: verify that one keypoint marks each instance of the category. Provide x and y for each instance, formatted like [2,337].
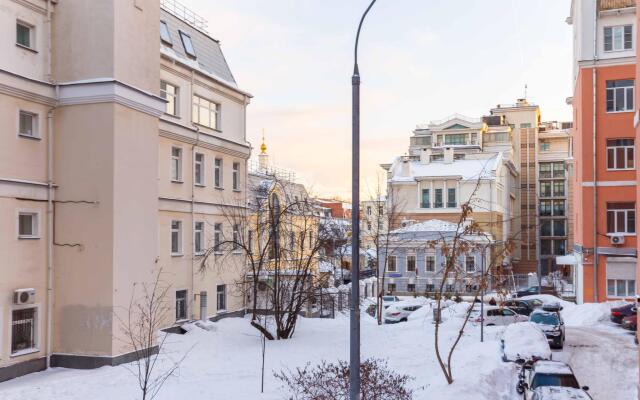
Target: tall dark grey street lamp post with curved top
[354,334]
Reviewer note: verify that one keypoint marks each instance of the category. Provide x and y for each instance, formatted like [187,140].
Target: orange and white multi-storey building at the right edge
[605,185]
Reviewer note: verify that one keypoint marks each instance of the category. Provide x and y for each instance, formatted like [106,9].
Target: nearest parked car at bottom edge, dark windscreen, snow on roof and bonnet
[534,375]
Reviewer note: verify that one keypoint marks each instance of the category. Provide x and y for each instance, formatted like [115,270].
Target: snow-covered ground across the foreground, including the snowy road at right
[225,363]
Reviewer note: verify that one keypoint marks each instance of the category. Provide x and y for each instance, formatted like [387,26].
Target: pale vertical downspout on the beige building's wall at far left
[50,216]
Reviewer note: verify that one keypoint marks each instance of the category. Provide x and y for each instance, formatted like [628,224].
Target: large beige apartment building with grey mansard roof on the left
[122,142]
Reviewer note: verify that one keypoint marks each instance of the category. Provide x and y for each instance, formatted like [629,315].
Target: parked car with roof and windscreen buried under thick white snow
[524,341]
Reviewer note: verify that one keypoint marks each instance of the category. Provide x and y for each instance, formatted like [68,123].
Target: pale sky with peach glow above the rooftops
[420,60]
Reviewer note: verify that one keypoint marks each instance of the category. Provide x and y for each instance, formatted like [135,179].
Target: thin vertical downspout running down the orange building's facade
[595,150]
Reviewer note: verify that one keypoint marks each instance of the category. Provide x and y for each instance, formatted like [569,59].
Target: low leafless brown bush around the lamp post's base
[329,381]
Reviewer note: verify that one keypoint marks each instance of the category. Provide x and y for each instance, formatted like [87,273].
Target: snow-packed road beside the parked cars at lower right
[605,358]
